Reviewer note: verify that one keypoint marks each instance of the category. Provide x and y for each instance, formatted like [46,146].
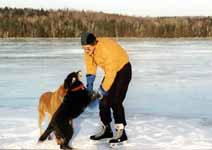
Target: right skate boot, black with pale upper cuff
[120,136]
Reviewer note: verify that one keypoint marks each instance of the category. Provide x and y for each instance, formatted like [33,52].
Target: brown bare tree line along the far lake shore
[28,22]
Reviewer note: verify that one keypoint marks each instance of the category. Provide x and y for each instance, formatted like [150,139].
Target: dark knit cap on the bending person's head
[88,38]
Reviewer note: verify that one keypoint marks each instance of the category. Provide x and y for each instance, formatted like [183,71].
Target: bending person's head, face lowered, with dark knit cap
[88,42]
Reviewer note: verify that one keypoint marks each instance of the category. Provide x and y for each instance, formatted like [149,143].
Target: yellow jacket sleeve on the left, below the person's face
[90,64]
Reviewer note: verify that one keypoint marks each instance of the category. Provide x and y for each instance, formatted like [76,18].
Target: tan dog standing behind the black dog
[49,102]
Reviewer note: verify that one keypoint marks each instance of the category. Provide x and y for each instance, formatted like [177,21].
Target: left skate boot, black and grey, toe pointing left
[105,132]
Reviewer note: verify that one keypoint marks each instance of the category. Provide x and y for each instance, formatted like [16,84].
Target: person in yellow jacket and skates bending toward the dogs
[112,58]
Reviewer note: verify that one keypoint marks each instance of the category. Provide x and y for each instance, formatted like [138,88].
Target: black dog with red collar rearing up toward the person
[74,103]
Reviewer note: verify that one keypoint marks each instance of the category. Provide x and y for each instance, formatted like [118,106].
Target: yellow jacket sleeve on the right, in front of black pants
[110,73]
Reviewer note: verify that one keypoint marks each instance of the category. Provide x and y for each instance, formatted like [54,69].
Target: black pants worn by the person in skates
[115,98]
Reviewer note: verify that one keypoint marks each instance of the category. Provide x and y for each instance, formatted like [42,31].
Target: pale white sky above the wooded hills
[125,7]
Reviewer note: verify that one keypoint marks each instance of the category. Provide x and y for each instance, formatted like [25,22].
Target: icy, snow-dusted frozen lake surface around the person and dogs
[168,105]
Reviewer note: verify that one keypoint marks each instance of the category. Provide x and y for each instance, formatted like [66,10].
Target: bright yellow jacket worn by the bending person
[110,56]
